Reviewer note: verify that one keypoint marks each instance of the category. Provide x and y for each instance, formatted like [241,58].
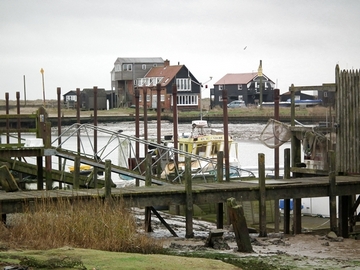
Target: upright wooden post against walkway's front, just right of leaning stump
[262,196]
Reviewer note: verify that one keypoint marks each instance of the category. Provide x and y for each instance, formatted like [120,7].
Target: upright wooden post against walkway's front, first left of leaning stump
[189,200]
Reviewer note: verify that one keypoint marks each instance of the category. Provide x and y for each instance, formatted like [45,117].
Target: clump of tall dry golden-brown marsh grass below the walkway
[92,224]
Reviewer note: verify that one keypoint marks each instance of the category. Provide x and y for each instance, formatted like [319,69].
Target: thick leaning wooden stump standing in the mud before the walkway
[237,218]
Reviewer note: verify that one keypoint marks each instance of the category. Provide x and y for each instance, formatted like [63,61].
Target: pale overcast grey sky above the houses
[77,42]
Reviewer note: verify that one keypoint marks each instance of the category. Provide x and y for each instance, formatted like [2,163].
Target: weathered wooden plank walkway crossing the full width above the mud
[202,193]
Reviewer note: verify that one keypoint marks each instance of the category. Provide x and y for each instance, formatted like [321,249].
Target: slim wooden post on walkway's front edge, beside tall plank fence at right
[332,196]
